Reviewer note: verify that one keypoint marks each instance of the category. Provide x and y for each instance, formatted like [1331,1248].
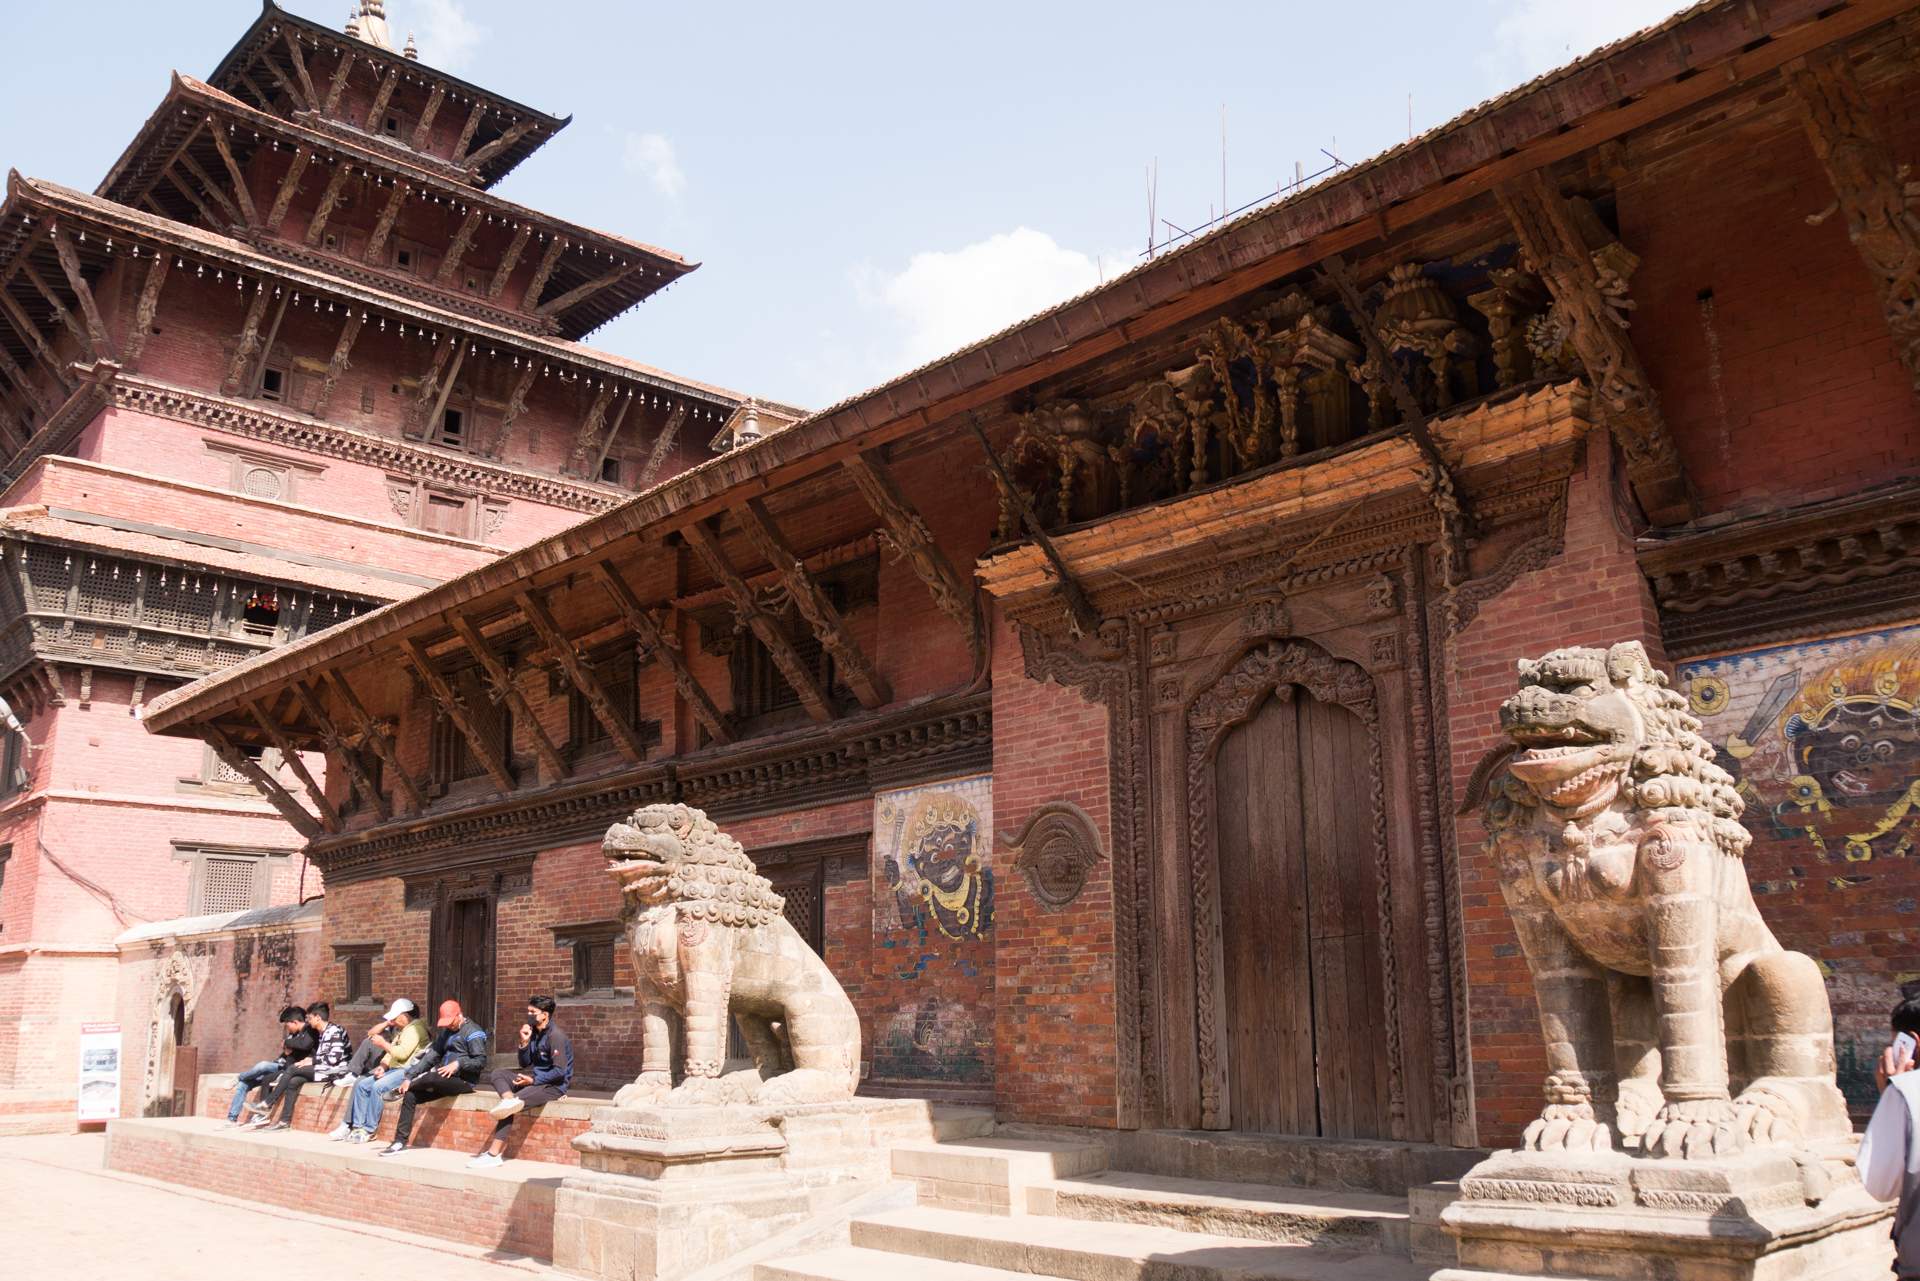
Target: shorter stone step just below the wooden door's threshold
[1251,1211]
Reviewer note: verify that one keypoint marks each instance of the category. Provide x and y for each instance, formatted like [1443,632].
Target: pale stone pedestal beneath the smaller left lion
[667,1192]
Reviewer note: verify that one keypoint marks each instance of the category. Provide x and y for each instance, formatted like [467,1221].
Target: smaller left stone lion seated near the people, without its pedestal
[709,940]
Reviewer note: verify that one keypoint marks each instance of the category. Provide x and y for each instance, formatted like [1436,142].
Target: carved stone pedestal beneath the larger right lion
[1771,1215]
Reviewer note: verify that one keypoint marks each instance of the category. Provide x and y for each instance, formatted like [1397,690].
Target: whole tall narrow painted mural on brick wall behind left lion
[934,931]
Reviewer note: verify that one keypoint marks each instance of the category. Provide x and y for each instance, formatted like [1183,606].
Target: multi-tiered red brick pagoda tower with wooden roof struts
[291,362]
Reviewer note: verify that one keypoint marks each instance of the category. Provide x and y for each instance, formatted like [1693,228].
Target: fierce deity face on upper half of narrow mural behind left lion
[936,859]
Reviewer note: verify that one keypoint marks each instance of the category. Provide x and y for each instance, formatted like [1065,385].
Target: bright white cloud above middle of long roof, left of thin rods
[942,302]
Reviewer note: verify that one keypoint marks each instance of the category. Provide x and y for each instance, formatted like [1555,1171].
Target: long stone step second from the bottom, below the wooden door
[1082,1251]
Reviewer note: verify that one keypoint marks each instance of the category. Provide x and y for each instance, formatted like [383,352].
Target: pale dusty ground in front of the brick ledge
[72,1221]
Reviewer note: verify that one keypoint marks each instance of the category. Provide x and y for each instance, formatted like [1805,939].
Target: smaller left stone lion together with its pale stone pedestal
[694,1163]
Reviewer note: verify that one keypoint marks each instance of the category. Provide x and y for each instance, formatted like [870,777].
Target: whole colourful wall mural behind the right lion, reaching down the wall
[1825,746]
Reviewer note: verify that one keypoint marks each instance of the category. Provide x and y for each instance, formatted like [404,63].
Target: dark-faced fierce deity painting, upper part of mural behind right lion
[1823,740]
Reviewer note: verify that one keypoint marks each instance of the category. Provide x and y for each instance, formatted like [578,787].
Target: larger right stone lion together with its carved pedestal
[1692,1126]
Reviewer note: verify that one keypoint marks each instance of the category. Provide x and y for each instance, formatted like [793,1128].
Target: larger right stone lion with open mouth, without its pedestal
[1669,1009]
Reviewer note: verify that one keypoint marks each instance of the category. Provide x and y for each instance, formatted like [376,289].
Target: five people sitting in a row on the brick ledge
[400,1057]
